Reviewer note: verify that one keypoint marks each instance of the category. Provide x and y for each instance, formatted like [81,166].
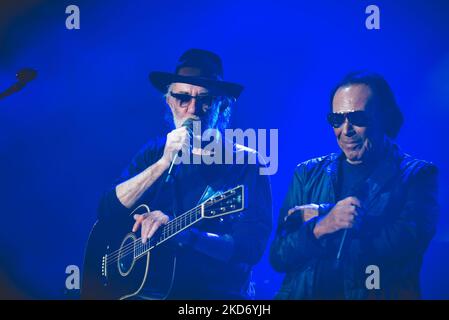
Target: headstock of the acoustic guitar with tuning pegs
[224,203]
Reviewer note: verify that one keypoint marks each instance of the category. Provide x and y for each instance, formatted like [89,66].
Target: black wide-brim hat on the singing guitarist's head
[201,68]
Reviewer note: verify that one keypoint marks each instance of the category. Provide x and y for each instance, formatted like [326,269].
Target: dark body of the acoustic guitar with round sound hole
[111,274]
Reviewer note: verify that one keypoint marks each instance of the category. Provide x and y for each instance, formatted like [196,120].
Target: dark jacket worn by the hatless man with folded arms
[399,222]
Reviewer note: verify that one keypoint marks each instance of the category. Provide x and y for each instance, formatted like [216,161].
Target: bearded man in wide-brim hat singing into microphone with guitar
[214,258]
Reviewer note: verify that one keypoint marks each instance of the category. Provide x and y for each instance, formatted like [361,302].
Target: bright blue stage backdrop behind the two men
[68,134]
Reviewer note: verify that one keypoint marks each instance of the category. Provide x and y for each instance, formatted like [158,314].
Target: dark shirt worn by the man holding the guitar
[199,275]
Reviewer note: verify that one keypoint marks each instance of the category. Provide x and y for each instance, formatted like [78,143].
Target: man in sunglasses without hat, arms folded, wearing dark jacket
[355,225]
